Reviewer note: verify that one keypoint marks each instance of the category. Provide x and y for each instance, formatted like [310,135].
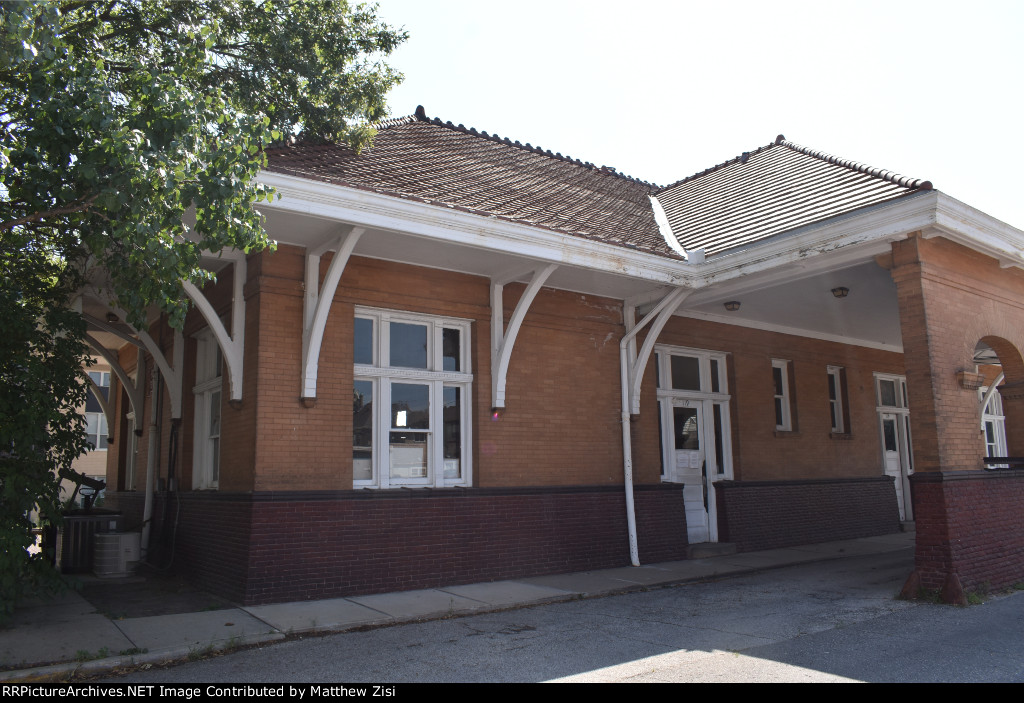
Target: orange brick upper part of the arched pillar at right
[952,298]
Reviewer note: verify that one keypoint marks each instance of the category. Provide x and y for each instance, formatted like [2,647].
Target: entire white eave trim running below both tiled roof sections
[855,238]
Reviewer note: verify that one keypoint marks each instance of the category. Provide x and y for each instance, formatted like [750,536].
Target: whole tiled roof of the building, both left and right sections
[774,190]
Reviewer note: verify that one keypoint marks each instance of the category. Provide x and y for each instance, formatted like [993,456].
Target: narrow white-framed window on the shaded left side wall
[209,386]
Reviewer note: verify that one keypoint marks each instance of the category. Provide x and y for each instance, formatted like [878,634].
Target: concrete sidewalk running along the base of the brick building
[56,639]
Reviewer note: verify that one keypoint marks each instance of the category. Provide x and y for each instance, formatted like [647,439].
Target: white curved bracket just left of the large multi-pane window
[317,305]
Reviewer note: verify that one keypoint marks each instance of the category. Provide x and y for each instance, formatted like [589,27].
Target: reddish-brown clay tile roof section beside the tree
[450,165]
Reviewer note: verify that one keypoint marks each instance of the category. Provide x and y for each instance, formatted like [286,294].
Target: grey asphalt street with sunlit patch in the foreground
[829,622]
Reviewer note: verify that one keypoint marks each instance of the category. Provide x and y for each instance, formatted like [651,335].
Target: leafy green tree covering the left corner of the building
[120,122]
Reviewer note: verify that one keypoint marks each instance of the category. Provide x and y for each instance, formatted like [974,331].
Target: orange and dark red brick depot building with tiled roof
[472,360]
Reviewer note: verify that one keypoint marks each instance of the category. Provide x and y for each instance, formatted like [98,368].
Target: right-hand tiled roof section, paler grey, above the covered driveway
[774,190]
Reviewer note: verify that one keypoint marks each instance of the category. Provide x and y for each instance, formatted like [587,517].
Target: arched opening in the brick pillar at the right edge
[1001,400]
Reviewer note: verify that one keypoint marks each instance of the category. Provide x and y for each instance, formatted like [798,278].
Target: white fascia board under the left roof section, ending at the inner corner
[440,224]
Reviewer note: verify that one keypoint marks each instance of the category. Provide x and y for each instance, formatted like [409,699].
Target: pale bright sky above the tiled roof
[662,91]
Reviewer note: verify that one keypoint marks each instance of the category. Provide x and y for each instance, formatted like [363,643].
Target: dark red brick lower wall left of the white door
[268,548]
